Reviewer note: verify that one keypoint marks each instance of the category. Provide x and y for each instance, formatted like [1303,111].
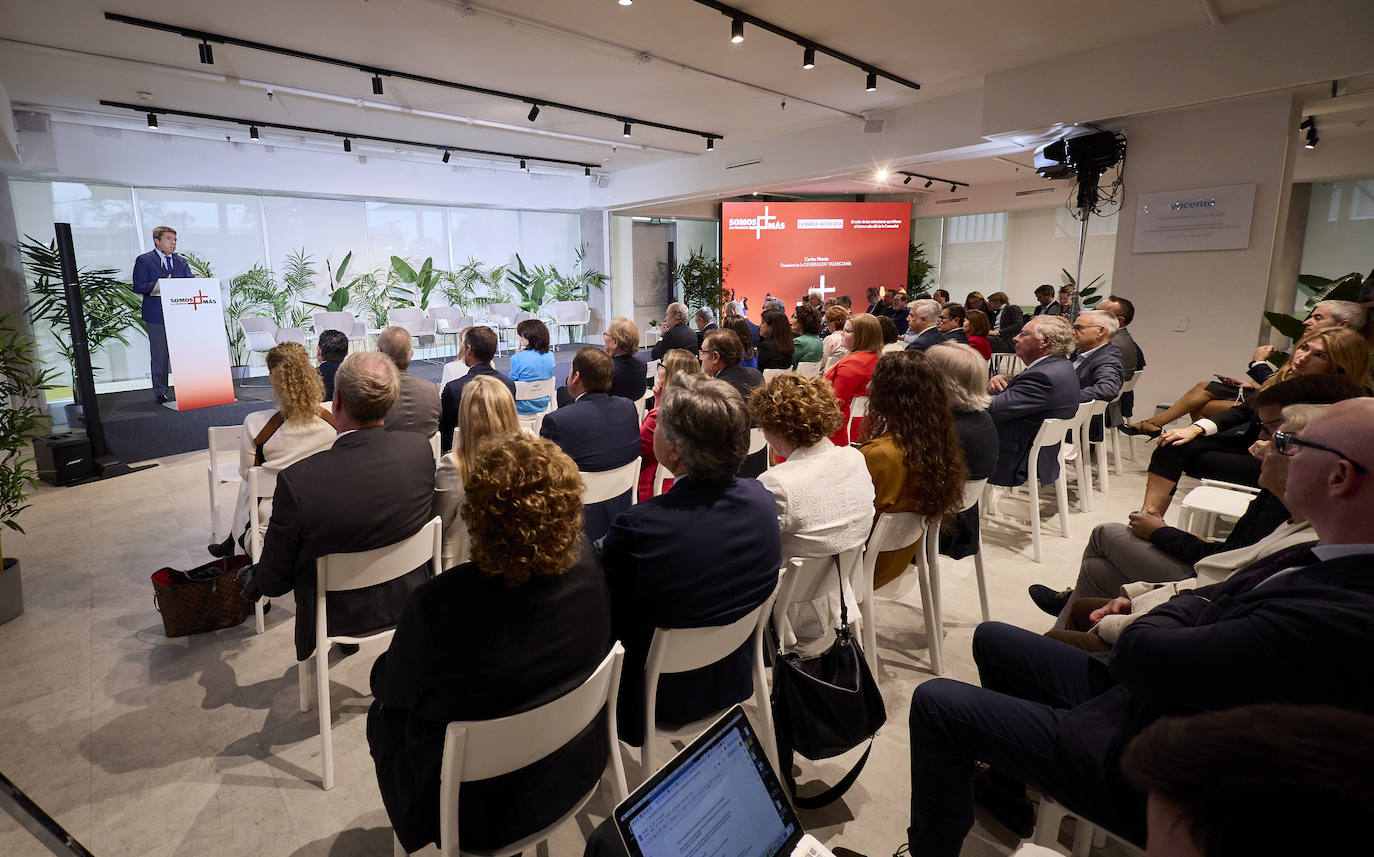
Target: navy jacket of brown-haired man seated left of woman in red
[598,432]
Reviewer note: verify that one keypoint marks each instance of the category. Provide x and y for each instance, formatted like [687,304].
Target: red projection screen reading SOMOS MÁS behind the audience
[787,249]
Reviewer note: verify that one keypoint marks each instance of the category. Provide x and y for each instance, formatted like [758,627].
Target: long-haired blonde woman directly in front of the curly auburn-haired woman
[486,411]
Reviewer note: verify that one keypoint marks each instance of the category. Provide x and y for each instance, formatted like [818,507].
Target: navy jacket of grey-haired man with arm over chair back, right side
[1046,391]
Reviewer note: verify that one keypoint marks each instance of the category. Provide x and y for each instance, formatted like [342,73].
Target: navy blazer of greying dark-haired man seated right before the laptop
[660,582]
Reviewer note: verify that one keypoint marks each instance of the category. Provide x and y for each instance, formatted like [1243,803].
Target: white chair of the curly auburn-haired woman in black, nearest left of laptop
[484,749]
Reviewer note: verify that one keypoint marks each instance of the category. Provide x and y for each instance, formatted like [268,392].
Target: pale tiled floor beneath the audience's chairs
[148,746]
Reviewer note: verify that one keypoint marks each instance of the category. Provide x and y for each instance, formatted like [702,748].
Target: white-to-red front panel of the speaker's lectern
[200,352]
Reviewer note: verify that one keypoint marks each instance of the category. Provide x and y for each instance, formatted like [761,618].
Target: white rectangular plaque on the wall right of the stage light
[1199,219]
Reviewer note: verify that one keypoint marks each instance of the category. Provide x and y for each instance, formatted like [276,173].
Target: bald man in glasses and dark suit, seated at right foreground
[1291,628]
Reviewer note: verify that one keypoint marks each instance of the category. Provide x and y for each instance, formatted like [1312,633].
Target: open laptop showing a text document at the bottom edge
[718,799]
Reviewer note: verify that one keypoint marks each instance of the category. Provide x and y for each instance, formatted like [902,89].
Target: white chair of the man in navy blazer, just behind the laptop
[682,650]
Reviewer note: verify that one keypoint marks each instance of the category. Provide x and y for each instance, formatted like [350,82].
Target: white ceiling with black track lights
[668,61]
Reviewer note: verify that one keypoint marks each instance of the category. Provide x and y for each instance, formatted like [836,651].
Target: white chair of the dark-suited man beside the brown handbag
[346,572]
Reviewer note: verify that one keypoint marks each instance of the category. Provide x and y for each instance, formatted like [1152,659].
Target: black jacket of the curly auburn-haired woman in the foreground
[471,648]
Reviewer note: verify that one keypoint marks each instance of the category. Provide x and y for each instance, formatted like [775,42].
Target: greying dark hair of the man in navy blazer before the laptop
[707,421]
